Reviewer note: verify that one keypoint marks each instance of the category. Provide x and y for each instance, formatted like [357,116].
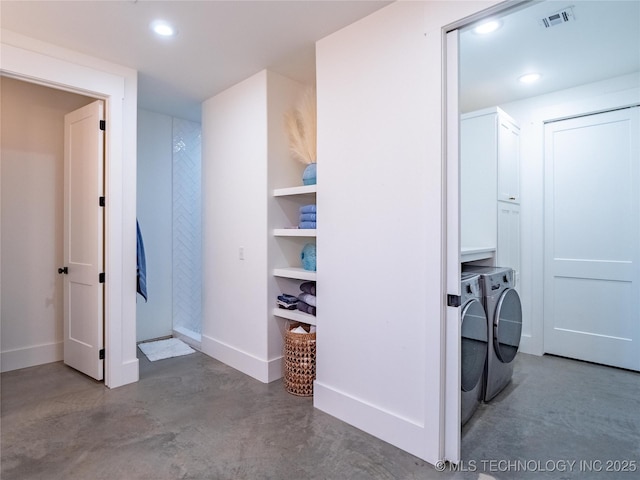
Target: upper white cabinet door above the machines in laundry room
[508,161]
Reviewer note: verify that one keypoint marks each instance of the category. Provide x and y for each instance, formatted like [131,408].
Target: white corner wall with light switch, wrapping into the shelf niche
[245,156]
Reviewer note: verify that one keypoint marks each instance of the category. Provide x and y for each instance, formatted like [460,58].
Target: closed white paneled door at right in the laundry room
[592,238]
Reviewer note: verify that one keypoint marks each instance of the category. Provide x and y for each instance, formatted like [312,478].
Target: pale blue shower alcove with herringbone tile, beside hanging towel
[169,214]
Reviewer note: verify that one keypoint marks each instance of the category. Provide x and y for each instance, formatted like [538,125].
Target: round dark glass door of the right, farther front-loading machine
[507,326]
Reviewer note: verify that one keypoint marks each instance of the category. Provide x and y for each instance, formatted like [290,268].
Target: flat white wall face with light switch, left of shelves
[234,189]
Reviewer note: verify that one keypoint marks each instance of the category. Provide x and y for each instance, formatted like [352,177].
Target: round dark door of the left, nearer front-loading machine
[474,344]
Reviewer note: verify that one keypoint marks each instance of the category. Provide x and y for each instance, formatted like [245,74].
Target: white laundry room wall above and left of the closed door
[530,115]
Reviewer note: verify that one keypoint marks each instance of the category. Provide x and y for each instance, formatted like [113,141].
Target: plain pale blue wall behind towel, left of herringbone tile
[154,211]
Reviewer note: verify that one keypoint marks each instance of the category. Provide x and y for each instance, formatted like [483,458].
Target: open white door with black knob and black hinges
[83,240]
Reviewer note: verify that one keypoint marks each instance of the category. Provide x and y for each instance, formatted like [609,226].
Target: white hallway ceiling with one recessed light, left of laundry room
[219,42]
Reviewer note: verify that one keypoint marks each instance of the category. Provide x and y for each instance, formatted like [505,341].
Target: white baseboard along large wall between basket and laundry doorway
[387,426]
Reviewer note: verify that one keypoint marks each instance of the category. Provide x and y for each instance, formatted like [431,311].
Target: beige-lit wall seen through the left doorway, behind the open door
[32,173]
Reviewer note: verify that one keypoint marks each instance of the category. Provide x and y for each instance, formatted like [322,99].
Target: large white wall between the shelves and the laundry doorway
[380,267]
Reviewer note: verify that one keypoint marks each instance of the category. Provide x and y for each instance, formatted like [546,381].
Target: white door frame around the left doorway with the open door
[91,77]
